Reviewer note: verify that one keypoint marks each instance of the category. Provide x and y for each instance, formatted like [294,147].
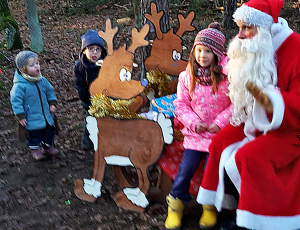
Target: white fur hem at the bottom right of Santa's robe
[254,221]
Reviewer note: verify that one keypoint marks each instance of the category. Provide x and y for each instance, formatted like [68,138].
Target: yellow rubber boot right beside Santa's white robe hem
[209,217]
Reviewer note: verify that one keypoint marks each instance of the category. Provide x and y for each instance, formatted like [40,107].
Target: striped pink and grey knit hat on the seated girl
[213,39]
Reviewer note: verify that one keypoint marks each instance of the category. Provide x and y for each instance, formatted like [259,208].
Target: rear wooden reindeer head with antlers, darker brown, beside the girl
[166,51]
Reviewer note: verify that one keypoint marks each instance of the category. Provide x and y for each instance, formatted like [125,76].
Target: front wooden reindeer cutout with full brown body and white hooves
[130,142]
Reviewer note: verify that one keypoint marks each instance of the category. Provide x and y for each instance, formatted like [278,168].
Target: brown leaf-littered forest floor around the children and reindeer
[39,194]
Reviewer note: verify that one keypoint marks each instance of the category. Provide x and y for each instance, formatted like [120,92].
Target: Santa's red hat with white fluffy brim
[262,13]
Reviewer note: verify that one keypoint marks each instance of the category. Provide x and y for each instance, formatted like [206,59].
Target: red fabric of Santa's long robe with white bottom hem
[268,166]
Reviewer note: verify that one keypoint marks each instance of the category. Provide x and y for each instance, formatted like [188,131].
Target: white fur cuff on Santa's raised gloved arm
[260,118]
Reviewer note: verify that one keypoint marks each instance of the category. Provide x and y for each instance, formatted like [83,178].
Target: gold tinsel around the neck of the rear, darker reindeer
[158,82]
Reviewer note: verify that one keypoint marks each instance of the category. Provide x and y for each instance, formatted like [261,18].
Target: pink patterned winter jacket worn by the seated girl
[201,105]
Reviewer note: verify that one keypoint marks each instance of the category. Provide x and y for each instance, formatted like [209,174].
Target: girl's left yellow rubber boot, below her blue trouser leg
[175,212]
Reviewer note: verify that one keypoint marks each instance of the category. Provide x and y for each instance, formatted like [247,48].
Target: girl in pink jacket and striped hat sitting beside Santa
[203,107]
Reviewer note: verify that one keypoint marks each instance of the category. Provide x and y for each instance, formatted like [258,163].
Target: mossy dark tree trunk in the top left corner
[12,33]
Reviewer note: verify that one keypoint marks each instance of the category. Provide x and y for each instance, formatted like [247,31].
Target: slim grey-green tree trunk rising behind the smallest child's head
[36,38]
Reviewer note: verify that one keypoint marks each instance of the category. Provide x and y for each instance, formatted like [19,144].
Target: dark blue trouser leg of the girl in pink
[188,166]
